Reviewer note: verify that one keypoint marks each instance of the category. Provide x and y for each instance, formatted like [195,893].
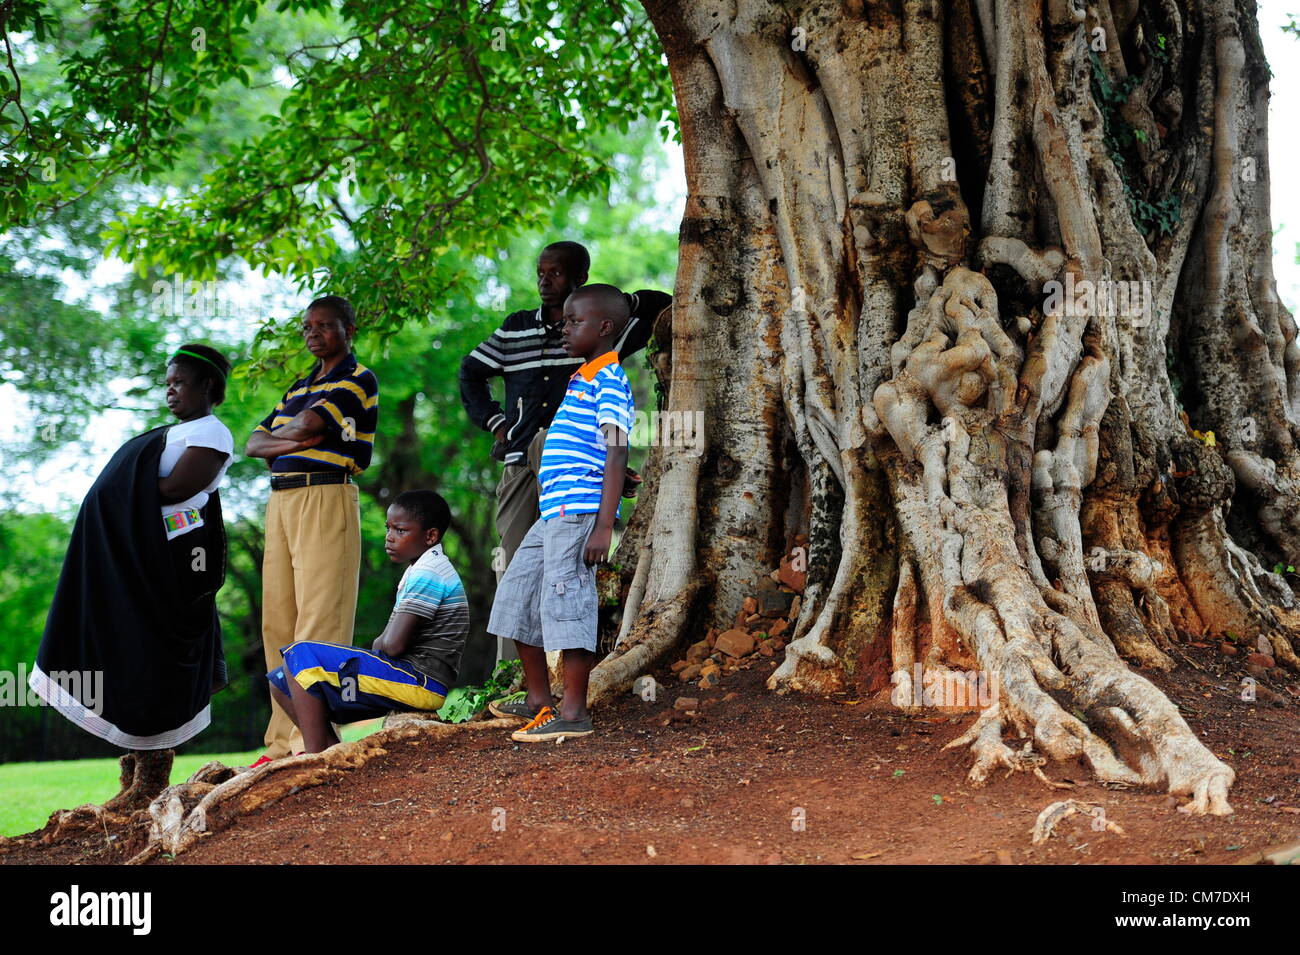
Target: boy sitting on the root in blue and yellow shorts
[413,663]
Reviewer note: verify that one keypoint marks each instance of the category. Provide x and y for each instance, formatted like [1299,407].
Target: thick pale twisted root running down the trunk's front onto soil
[956,515]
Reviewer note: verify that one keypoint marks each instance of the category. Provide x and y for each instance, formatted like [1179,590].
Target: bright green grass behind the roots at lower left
[31,792]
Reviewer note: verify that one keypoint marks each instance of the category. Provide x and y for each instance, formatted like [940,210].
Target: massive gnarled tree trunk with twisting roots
[881,198]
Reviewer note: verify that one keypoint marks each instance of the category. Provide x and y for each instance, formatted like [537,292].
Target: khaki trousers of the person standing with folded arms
[309,583]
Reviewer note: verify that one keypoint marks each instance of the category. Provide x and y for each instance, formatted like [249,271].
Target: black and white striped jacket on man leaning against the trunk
[531,358]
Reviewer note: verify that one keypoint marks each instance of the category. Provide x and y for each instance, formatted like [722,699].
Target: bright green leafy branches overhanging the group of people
[408,132]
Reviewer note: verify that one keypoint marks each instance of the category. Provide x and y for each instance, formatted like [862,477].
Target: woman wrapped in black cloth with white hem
[132,649]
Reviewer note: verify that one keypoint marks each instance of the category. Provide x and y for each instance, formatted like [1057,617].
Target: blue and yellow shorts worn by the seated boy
[357,684]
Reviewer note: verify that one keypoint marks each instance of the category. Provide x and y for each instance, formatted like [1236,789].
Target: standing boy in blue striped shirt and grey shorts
[547,600]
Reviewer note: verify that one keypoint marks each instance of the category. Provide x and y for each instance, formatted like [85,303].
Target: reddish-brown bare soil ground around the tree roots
[735,784]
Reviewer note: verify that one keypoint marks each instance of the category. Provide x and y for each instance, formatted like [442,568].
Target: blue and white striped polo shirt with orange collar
[573,467]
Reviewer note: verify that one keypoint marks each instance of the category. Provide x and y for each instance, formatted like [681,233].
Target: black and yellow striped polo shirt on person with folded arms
[349,401]
